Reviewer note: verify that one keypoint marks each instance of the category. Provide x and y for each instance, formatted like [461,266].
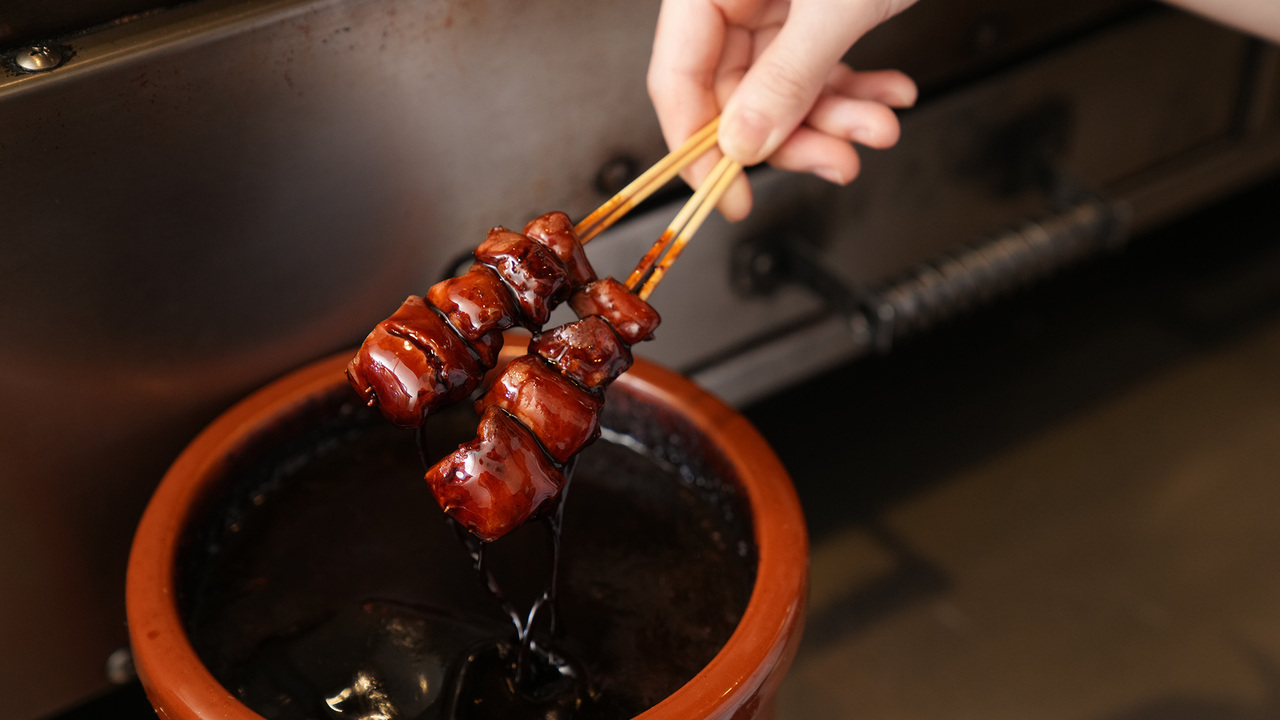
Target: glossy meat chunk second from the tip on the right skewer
[563,416]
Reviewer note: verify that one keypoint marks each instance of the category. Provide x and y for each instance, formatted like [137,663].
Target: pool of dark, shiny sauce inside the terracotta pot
[332,586]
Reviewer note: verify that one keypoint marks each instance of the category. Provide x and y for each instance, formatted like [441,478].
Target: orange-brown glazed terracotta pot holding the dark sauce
[740,682]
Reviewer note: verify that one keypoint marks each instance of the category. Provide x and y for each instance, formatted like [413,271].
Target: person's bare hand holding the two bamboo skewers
[772,71]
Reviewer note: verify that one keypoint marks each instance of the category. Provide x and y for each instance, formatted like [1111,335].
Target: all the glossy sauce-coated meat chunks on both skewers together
[545,407]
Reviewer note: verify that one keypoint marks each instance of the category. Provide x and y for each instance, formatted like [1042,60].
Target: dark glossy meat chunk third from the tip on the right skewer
[587,352]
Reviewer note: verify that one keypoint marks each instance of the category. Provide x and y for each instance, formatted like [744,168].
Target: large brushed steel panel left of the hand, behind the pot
[208,197]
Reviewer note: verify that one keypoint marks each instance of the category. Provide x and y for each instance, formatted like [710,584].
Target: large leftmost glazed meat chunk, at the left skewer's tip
[414,363]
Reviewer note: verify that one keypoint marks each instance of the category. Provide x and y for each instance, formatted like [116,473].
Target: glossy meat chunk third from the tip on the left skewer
[536,276]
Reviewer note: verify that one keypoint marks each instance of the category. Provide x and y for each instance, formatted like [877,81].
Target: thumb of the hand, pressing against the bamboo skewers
[783,85]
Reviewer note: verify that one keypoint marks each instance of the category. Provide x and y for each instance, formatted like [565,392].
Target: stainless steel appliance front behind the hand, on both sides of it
[204,197]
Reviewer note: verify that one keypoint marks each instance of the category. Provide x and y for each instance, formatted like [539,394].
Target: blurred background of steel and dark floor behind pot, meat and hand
[1023,371]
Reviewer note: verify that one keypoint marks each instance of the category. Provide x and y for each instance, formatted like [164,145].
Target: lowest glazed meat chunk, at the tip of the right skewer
[496,482]
